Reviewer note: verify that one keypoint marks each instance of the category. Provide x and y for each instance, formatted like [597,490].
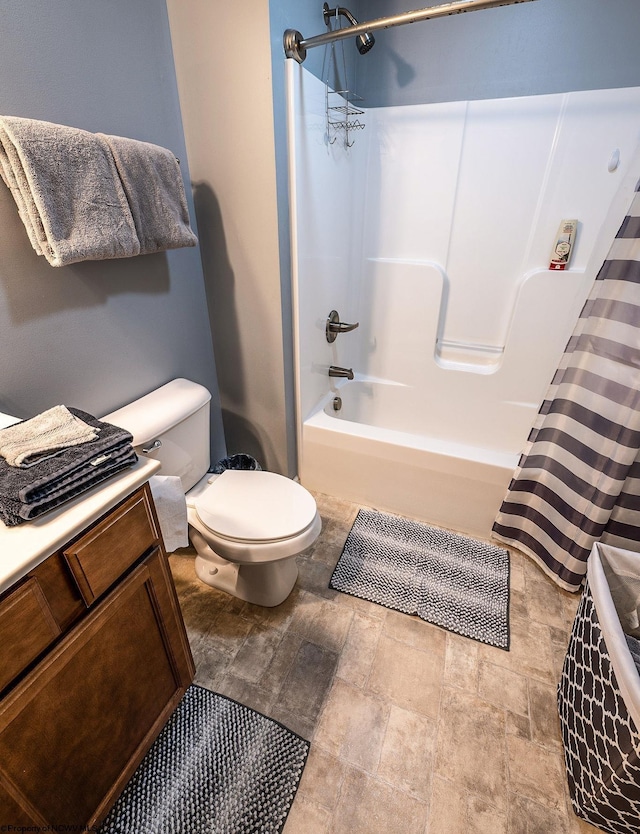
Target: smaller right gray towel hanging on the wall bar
[152,181]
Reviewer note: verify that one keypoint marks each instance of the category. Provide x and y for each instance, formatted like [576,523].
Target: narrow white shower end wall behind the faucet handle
[327,213]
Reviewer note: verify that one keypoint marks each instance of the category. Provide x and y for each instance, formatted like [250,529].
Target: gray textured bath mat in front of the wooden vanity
[217,768]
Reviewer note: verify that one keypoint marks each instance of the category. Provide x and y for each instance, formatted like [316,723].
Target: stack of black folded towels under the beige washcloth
[28,493]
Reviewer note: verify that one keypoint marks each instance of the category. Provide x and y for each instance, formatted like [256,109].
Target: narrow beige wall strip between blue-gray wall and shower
[223,64]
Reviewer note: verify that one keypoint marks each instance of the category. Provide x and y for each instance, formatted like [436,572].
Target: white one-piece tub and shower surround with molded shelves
[435,231]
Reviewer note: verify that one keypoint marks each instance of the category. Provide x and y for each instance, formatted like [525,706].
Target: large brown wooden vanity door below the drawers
[74,730]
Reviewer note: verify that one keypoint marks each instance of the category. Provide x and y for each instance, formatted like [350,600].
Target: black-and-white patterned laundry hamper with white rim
[599,695]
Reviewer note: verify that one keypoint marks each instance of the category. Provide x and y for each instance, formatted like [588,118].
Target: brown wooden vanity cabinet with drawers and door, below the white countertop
[99,661]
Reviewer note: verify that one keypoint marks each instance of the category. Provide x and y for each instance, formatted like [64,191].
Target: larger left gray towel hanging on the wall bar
[68,191]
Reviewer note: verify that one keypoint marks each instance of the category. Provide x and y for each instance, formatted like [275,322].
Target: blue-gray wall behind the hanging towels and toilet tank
[96,334]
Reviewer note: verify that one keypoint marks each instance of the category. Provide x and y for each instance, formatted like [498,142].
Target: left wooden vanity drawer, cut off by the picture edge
[27,627]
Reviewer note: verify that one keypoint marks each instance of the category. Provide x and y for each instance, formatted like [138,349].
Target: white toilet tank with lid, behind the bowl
[171,424]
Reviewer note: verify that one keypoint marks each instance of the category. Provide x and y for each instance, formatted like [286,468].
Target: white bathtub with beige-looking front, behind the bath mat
[416,469]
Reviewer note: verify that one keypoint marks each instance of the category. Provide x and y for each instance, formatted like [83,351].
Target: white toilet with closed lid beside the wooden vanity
[246,526]
